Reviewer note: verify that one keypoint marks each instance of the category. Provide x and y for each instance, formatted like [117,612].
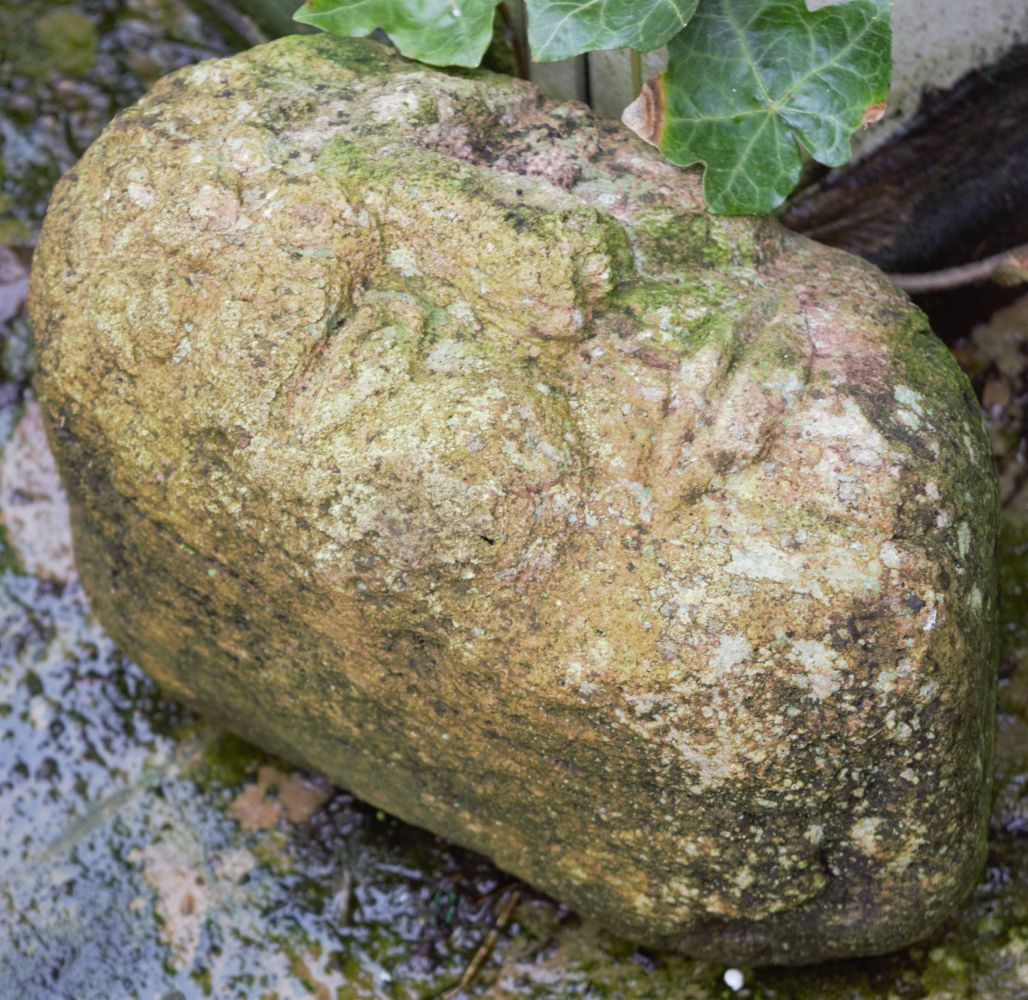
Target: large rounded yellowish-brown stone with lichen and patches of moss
[436,437]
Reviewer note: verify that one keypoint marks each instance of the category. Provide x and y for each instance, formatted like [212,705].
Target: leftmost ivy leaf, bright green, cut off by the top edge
[437,32]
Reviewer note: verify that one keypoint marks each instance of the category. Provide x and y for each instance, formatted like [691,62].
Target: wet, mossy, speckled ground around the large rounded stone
[144,854]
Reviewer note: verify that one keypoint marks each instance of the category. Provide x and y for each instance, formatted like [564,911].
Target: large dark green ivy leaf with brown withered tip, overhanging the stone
[749,81]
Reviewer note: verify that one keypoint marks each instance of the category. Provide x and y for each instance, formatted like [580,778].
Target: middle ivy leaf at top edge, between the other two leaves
[561,29]
